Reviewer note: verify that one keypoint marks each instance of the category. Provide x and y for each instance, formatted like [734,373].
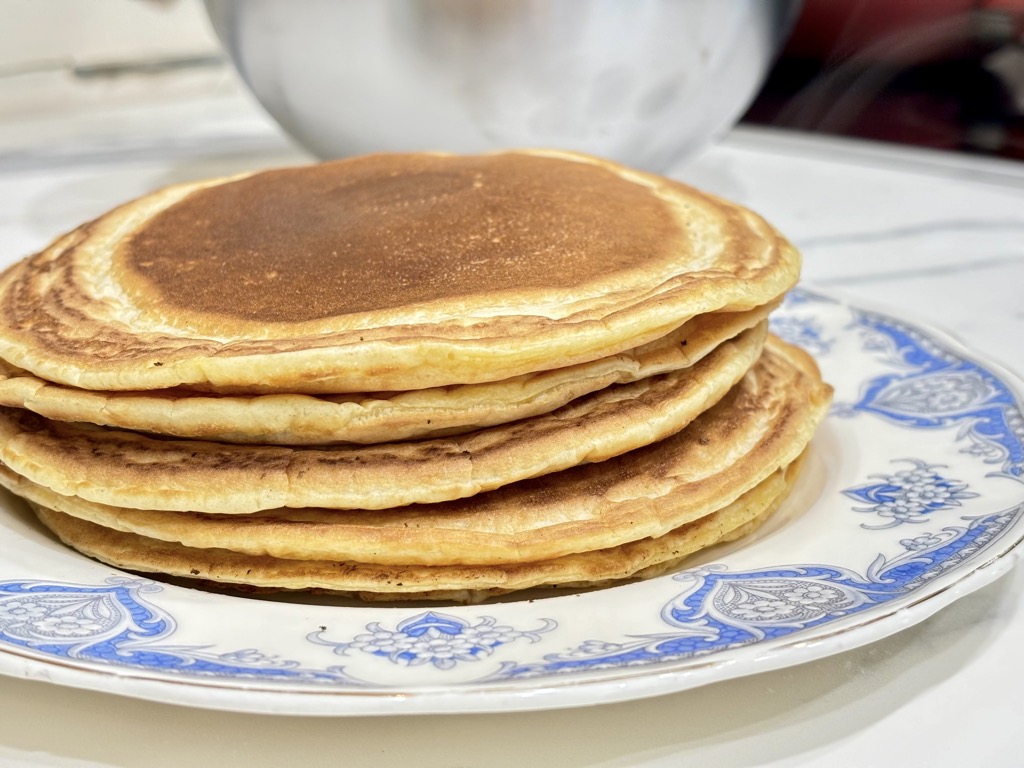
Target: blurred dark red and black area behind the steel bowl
[946,74]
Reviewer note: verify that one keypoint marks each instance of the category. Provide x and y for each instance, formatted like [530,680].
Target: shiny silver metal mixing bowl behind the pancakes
[646,82]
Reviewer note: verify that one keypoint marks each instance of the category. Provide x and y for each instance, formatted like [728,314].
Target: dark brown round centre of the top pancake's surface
[391,231]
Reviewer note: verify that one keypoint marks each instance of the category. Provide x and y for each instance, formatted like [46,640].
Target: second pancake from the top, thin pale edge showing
[303,420]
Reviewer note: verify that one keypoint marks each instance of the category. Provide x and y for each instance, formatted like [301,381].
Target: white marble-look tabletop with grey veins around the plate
[937,238]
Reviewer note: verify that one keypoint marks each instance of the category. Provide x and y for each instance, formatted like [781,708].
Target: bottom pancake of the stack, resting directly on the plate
[645,559]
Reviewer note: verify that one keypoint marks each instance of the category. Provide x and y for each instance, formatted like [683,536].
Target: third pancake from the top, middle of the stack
[136,471]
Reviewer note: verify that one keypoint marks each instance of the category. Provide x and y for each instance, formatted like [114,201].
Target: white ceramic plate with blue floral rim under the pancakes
[913,496]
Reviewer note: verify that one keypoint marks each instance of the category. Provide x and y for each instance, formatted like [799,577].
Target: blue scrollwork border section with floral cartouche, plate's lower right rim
[721,611]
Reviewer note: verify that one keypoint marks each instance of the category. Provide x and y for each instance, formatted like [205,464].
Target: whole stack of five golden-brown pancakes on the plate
[407,376]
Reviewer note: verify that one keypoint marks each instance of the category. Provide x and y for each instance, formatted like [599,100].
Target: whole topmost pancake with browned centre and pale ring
[387,273]
